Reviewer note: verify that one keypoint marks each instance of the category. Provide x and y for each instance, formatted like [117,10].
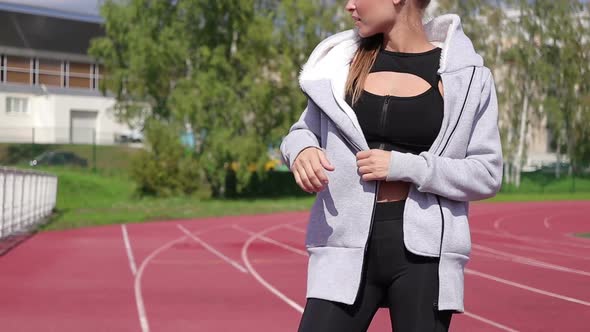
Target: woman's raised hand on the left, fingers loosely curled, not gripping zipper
[308,169]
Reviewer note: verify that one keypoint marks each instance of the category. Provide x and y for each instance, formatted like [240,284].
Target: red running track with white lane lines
[248,273]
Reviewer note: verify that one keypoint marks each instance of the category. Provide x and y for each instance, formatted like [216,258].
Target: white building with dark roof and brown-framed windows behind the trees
[49,86]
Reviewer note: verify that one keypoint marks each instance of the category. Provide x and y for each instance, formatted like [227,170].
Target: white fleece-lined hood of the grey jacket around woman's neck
[444,31]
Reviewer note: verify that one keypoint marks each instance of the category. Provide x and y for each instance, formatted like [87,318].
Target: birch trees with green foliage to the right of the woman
[539,54]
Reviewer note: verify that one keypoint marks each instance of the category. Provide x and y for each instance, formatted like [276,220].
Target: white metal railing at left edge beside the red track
[27,197]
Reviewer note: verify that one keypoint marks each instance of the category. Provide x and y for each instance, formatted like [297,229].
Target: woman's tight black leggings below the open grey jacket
[393,277]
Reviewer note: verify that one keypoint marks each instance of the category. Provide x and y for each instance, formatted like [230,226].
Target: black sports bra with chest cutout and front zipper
[405,124]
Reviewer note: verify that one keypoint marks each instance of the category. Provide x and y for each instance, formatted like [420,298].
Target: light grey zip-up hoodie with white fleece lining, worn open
[463,164]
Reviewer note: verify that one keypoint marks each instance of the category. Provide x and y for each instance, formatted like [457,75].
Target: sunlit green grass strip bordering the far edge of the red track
[87,199]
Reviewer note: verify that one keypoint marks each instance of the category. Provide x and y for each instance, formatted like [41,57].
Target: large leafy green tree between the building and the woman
[226,68]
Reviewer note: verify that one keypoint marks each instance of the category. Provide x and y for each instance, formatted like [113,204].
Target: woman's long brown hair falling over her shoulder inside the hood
[364,58]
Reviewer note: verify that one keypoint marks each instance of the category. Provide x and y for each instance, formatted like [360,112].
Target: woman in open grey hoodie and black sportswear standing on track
[399,135]
